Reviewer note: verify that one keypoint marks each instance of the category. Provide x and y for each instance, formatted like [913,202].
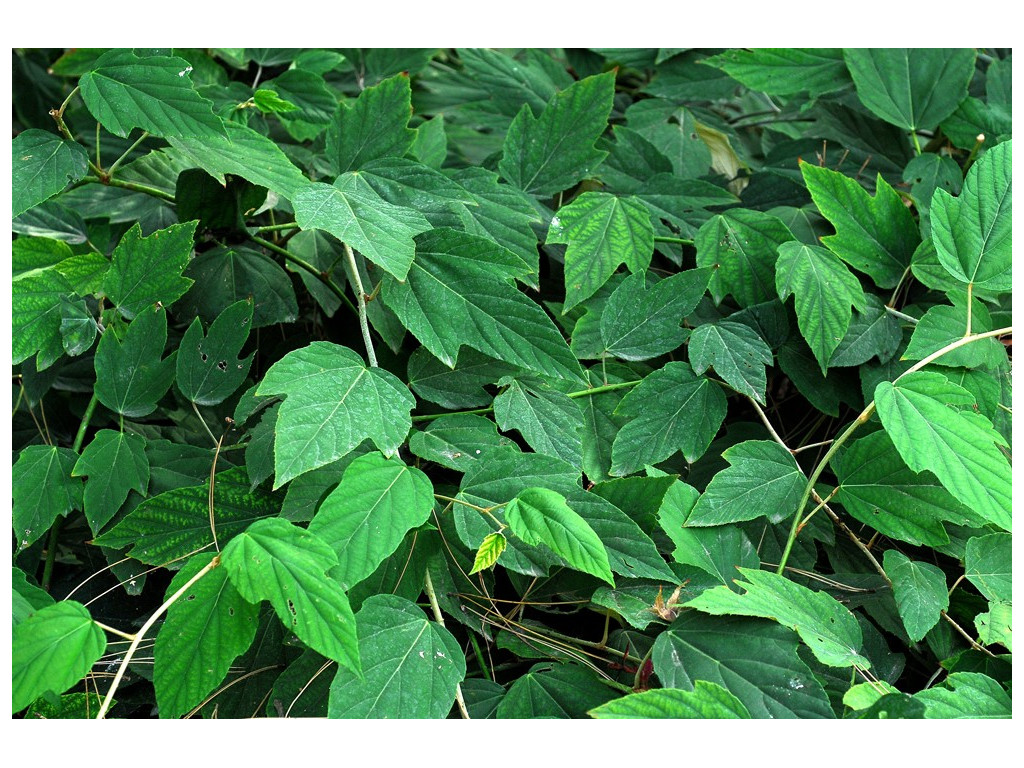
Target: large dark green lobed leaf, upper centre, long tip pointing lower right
[460,291]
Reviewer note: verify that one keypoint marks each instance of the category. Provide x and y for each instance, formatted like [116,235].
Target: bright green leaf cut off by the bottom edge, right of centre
[706,702]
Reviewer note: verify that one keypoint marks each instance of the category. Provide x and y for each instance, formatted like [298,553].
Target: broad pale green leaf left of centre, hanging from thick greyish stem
[333,402]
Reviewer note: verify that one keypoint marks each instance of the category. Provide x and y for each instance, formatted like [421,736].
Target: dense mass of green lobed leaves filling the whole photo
[621,383]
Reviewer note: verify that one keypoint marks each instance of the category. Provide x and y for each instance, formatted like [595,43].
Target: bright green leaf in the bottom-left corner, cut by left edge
[52,651]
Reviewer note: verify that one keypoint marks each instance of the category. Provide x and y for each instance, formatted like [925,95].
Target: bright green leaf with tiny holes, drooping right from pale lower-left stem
[278,562]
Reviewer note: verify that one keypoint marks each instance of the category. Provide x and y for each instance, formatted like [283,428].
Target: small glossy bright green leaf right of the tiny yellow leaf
[538,516]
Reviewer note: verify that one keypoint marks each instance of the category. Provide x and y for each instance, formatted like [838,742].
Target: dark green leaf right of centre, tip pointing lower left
[671,410]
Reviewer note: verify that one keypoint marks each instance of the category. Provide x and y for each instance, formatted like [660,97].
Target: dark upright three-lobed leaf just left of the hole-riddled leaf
[131,375]
